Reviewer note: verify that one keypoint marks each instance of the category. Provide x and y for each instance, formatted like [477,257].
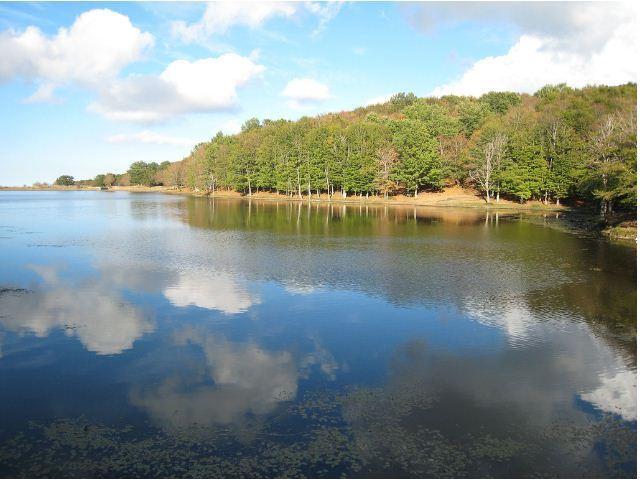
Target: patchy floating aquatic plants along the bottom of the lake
[359,432]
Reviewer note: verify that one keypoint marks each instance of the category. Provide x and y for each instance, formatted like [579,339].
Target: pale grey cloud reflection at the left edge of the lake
[93,311]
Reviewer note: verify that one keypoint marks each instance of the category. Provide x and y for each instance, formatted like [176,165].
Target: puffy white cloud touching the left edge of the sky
[93,50]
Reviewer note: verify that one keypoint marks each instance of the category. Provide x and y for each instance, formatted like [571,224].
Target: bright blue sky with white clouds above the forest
[90,87]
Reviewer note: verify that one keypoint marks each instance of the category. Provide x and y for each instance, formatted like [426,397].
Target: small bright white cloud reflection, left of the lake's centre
[214,291]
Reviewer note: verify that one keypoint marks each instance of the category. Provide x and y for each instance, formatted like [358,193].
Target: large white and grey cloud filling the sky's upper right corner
[575,43]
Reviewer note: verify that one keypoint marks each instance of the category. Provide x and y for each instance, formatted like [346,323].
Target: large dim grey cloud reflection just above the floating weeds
[238,379]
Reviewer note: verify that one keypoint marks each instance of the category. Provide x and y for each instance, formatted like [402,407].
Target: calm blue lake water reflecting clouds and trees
[152,335]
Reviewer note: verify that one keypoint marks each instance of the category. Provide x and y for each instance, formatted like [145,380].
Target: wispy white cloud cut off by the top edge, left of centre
[219,17]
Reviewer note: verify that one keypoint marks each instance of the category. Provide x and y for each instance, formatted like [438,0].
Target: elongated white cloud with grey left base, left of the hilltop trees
[205,85]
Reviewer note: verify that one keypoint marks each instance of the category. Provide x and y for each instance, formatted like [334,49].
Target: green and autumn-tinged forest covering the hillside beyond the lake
[558,145]
